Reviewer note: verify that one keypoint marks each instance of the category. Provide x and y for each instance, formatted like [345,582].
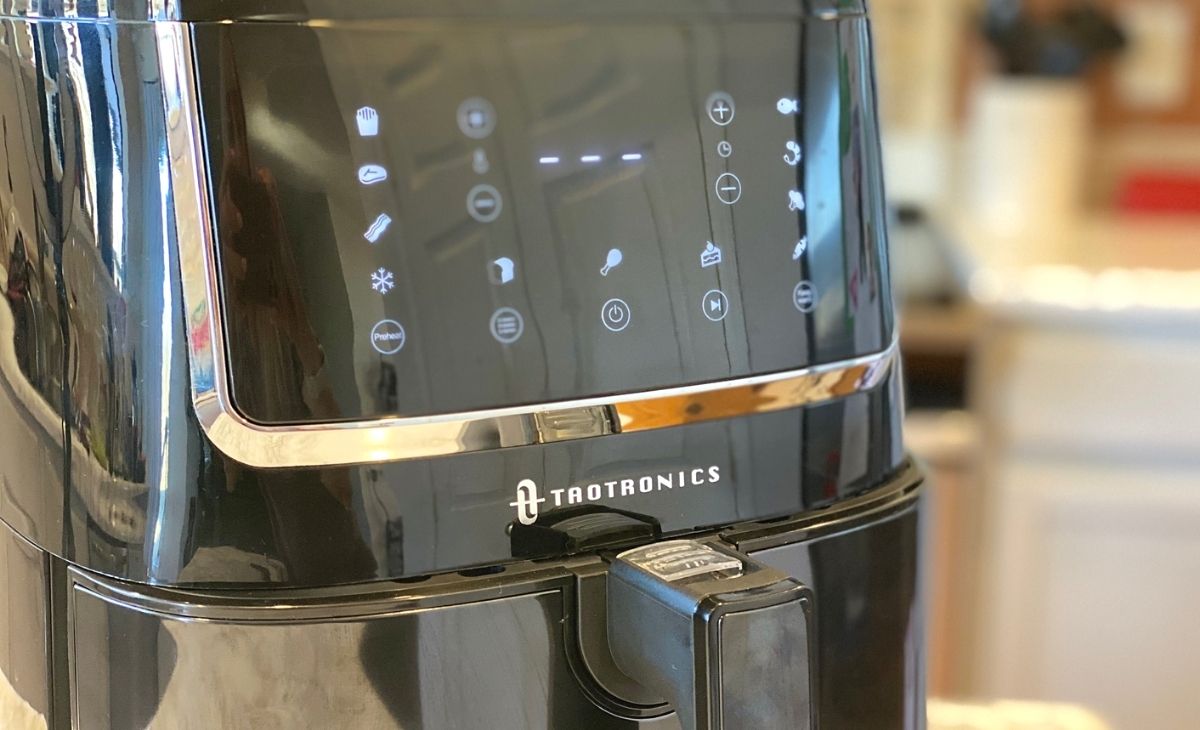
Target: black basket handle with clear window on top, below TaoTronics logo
[725,639]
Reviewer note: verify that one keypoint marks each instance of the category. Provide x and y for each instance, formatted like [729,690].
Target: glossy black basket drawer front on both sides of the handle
[467,653]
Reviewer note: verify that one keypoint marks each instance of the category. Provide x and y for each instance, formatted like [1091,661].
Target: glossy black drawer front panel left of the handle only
[485,665]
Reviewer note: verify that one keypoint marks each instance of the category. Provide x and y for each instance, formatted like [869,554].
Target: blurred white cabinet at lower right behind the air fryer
[1091,563]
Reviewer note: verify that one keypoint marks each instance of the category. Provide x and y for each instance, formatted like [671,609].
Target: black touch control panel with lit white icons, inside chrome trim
[425,219]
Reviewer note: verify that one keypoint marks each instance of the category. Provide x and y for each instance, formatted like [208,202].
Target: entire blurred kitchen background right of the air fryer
[1045,170]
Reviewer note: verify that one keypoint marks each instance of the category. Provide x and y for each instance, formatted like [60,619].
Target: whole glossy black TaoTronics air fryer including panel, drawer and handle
[449,364]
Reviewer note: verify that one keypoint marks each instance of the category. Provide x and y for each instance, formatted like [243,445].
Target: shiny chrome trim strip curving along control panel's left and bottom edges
[403,439]
